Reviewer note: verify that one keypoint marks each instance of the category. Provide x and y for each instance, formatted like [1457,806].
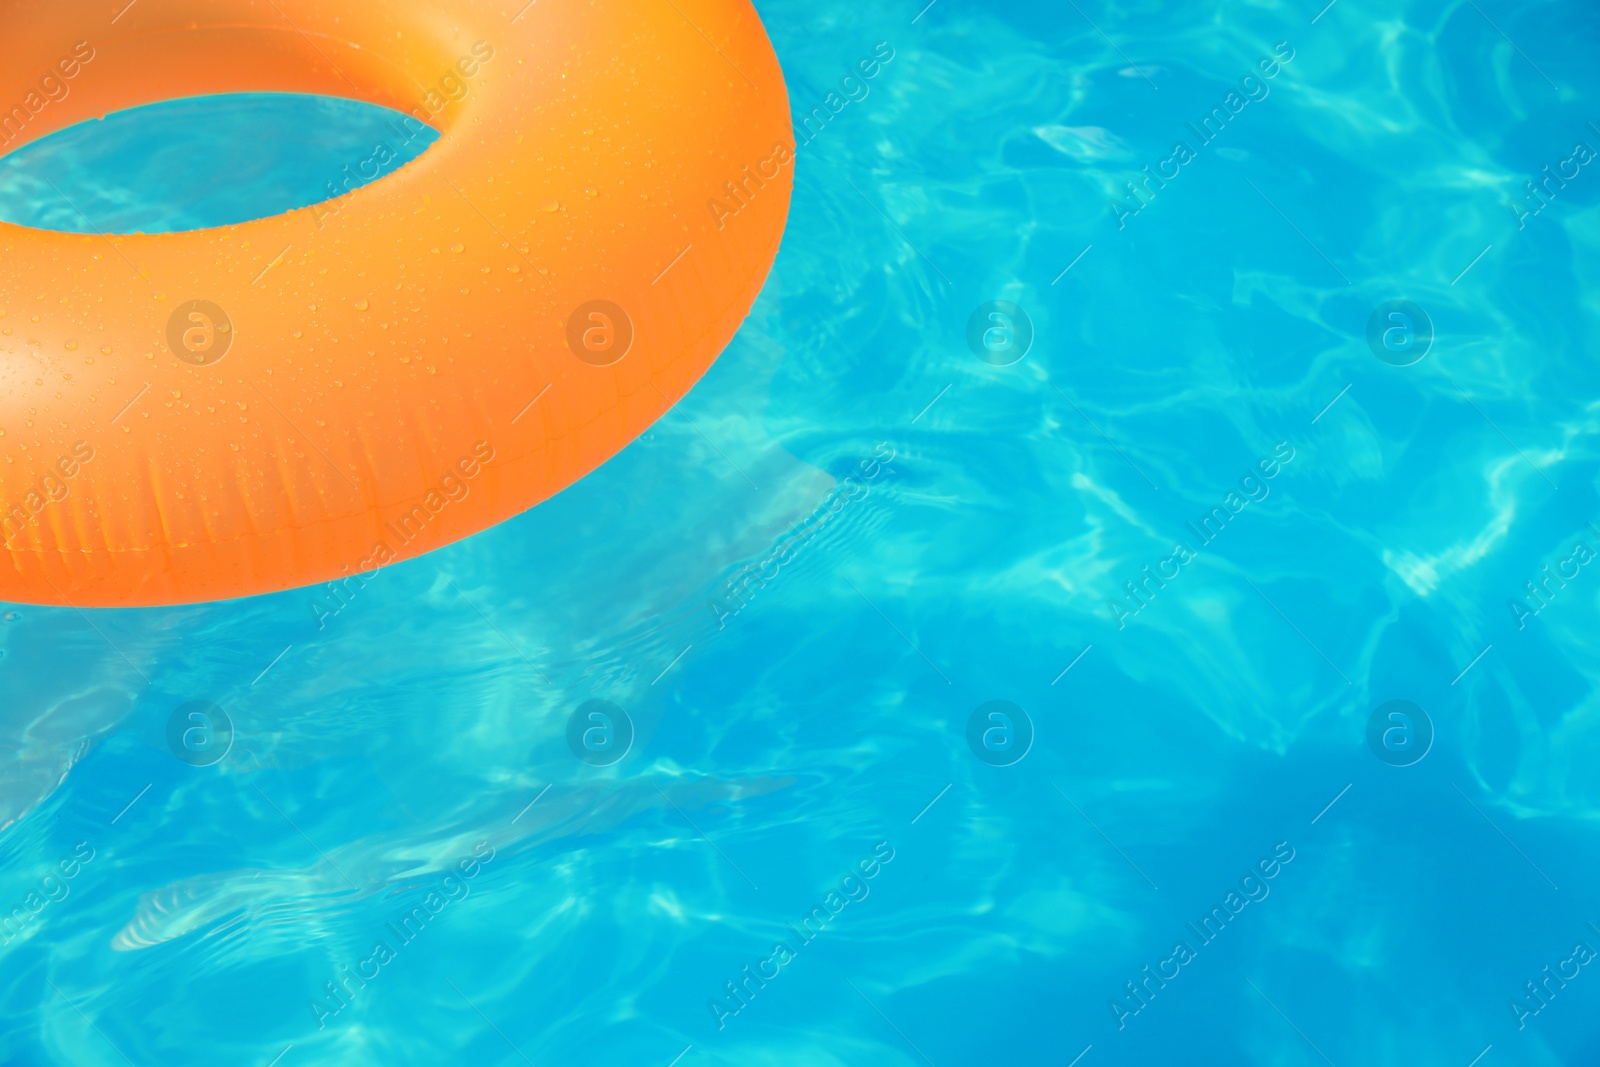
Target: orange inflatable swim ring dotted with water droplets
[230,412]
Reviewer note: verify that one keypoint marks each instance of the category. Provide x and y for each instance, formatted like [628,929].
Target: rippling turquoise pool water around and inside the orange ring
[934,526]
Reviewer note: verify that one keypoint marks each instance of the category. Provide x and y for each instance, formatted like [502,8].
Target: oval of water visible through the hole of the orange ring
[204,162]
